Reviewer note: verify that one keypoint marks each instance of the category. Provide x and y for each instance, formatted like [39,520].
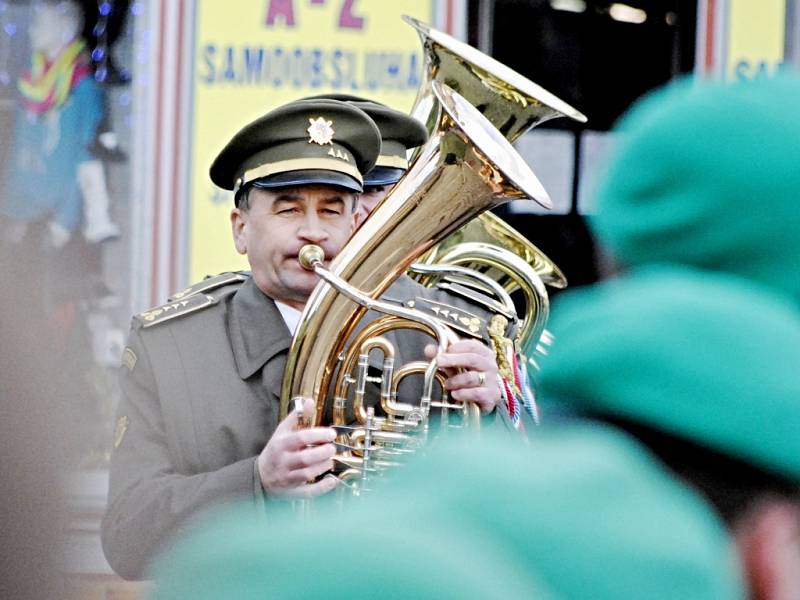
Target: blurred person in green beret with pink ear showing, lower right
[701,368]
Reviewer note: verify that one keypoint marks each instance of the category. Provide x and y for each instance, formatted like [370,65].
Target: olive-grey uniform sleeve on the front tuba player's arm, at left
[149,501]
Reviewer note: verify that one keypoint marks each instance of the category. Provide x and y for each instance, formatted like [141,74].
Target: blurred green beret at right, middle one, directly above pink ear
[705,356]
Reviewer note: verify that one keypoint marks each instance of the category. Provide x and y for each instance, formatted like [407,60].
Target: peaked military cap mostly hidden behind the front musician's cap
[399,132]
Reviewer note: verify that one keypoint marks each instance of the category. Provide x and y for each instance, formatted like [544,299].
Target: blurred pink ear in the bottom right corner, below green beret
[769,546]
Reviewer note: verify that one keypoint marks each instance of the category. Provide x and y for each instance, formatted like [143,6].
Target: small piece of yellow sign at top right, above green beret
[756,37]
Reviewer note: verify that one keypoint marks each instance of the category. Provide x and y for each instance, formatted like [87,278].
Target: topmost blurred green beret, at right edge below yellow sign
[708,175]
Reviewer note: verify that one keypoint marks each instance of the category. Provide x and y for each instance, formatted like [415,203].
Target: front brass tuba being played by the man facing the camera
[465,168]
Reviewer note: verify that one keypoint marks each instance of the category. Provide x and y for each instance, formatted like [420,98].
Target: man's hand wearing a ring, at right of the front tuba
[478,381]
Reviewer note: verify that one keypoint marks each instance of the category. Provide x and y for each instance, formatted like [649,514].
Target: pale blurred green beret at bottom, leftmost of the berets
[233,556]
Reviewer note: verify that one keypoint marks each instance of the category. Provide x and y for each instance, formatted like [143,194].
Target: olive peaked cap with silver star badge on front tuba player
[311,141]
